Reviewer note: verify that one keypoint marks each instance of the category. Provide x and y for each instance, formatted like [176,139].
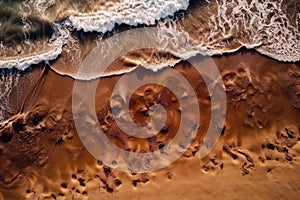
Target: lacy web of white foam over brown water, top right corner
[263,22]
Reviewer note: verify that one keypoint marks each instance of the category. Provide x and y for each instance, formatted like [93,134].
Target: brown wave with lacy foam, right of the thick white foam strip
[271,27]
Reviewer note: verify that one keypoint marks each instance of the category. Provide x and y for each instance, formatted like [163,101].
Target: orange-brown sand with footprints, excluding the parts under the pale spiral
[256,157]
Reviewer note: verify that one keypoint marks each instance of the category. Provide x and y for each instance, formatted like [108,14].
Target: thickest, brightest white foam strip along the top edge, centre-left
[128,12]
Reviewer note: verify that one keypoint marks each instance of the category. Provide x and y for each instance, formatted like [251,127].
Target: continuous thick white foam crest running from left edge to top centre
[128,12]
